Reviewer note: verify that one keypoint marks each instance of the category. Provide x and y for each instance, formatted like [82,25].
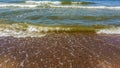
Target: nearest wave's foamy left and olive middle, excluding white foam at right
[32,30]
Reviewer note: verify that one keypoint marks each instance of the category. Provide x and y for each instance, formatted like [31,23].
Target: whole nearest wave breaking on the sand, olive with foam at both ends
[34,30]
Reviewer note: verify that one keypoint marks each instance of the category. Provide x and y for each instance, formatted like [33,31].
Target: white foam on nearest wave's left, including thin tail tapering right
[27,30]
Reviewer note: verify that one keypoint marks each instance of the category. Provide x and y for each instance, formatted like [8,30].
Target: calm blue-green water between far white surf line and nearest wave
[59,16]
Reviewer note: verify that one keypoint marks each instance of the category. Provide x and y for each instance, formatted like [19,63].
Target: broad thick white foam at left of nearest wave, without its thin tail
[17,31]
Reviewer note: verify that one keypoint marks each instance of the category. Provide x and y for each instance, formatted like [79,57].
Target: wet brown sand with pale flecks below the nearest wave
[64,50]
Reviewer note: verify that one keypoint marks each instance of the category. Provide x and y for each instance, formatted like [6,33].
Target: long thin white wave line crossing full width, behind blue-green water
[57,6]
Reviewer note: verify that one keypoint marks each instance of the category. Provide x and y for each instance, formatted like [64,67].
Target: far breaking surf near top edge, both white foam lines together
[56,4]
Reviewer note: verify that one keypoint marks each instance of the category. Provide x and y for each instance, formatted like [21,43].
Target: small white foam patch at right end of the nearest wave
[113,30]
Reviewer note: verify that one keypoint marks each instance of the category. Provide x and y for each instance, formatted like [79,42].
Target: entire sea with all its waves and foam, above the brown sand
[33,17]
